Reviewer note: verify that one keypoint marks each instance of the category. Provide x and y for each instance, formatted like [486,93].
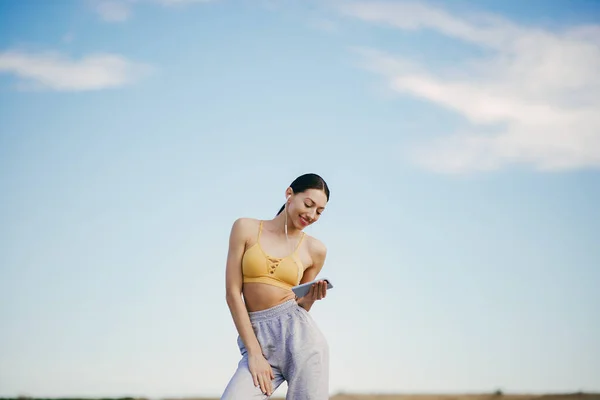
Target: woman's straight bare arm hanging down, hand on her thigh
[259,367]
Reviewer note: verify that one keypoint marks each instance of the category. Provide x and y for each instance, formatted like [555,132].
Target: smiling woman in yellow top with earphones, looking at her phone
[278,339]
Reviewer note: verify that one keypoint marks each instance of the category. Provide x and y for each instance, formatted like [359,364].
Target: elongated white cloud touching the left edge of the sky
[56,72]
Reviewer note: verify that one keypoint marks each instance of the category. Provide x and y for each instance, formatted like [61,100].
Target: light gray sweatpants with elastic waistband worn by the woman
[296,349]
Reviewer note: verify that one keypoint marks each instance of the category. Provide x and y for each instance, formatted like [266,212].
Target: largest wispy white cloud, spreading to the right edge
[534,99]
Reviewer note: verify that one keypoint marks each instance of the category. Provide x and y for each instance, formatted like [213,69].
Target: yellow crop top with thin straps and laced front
[258,266]
